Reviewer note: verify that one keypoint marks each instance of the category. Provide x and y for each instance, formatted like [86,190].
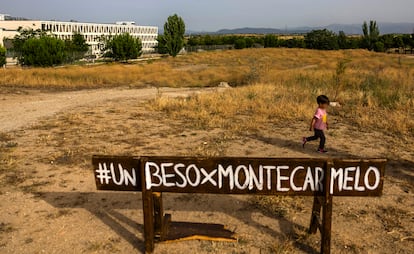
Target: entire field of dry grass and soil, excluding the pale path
[45,170]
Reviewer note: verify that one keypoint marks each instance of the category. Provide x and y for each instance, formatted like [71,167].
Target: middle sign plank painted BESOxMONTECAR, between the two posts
[223,175]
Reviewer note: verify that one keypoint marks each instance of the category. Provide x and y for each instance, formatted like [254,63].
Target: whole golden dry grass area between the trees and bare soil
[375,90]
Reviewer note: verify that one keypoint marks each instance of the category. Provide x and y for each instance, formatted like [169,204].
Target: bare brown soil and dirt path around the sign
[49,204]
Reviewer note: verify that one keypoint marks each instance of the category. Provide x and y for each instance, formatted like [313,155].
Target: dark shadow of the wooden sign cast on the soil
[109,202]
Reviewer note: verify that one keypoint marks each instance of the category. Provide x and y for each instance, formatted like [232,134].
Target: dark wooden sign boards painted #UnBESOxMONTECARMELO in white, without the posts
[230,175]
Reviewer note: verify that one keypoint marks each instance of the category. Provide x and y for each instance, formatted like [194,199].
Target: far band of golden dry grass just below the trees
[206,69]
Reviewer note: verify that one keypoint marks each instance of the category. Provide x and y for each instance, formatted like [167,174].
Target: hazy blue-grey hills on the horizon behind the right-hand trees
[385,28]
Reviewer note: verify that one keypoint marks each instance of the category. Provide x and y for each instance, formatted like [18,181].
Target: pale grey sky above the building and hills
[212,15]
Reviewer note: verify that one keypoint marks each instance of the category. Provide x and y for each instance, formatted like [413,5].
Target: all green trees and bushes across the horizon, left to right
[38,48]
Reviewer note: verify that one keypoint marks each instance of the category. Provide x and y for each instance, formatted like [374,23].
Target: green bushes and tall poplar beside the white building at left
[42,49]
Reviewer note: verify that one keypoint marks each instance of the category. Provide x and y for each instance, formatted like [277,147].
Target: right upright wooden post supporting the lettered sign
[327,211]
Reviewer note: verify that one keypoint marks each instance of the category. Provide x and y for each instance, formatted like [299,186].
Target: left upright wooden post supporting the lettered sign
[148,208]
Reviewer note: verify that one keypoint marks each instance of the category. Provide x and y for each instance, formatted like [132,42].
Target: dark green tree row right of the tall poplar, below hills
[322,39]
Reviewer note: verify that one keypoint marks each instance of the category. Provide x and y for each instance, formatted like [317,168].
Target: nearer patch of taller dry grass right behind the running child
[246,109]
